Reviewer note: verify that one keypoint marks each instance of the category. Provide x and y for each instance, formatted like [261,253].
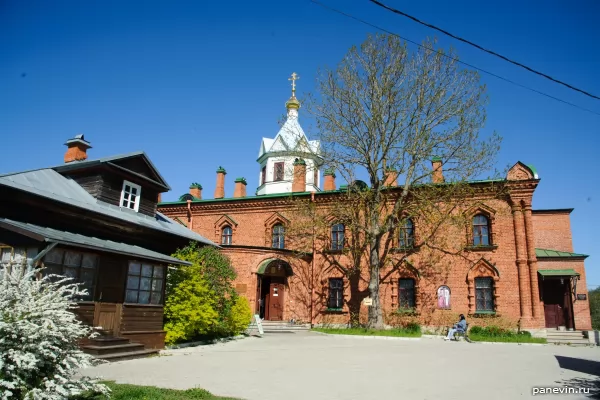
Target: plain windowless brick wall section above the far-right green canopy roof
[553,230]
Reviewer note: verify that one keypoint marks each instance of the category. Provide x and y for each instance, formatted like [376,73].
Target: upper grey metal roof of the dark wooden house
[49,184]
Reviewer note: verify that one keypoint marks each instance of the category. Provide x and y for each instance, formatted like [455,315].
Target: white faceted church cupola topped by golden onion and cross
[278,170]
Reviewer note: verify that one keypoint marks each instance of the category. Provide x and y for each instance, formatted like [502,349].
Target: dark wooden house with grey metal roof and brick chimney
[96,221]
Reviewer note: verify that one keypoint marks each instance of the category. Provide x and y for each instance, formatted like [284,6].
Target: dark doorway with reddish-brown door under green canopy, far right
[556,303]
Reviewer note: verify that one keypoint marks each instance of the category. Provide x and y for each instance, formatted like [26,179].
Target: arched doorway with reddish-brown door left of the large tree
[271,278]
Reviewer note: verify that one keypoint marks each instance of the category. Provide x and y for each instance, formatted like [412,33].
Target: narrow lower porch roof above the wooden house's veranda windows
[74,239]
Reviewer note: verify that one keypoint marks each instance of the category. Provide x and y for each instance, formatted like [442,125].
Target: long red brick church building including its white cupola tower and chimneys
[518,263]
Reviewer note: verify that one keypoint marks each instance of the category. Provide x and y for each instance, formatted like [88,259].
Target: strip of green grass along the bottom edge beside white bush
[133,392]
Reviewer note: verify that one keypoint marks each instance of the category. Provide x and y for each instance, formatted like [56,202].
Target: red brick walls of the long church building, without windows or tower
[252,220]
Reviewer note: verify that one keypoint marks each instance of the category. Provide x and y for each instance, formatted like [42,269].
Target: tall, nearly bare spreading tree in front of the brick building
[382,115]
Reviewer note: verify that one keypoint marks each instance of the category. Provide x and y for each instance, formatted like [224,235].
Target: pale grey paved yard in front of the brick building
[306,366]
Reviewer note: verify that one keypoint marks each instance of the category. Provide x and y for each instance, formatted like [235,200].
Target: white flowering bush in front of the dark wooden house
[39,354]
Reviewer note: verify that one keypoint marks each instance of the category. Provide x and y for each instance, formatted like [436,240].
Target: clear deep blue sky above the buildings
[198,84]
